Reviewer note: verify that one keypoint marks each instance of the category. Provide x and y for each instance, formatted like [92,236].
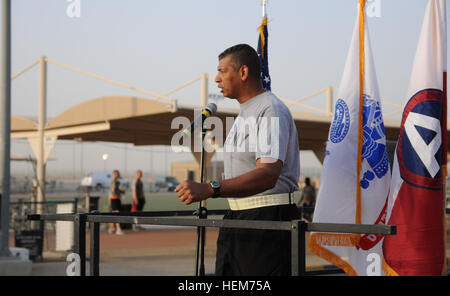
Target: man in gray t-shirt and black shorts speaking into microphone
[262,167]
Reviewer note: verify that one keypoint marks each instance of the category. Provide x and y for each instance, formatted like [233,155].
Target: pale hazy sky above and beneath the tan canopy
[159,45]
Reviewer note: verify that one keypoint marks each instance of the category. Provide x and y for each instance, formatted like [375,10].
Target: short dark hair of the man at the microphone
[244,54]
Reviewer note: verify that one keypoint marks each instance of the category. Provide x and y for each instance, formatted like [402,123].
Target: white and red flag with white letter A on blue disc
[417,192]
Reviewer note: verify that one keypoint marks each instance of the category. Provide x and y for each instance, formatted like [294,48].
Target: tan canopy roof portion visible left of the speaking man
[124,119]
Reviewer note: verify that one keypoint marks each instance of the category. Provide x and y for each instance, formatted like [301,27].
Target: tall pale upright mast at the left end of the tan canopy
[40,161]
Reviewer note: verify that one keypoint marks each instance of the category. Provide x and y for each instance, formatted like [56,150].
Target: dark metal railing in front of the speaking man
[297,228]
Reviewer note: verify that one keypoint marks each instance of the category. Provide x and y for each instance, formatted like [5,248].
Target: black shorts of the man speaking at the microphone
[249,252]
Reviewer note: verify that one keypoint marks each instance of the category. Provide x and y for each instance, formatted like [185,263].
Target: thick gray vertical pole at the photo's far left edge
[5,131]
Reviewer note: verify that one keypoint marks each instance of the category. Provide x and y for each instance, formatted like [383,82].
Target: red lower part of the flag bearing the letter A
[416,249]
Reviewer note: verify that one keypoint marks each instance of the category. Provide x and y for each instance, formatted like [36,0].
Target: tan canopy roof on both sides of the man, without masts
[142,121]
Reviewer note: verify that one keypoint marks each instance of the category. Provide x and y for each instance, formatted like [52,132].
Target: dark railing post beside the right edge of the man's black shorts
[298,254]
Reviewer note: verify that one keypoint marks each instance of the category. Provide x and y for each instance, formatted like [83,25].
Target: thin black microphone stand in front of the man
[202,214]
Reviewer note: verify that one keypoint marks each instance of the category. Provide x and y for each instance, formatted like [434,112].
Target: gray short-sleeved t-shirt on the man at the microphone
[263,128]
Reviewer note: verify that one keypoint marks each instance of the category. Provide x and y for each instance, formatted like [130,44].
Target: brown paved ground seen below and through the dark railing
[150,252]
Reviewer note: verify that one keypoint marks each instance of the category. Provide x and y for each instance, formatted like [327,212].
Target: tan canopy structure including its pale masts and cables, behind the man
[148,121]
